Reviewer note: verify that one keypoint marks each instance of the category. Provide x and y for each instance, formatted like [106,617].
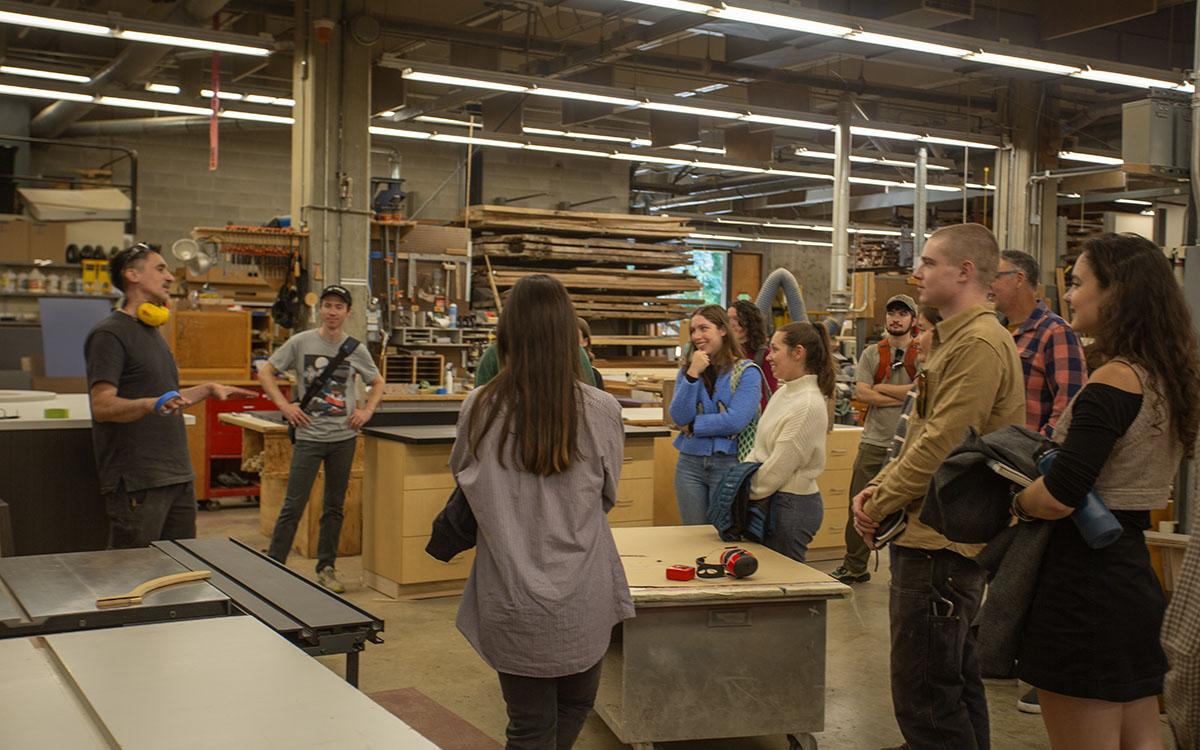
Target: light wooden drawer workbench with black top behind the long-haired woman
[409,482]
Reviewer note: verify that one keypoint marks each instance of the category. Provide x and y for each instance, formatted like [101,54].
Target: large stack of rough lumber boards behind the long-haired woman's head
[617,268]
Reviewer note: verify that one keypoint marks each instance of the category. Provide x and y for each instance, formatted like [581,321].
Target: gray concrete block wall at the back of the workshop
[253,183]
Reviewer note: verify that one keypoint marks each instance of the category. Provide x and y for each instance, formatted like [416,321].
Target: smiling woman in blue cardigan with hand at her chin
[710,411]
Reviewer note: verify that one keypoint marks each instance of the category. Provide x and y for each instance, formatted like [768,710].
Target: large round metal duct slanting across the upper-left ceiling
[136,61]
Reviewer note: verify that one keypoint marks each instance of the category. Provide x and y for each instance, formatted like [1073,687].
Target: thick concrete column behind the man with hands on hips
[332,151]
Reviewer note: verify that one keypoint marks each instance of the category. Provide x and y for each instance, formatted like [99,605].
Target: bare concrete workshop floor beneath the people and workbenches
[425,651]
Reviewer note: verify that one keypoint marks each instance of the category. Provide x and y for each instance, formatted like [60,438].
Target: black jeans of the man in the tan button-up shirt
[937,689]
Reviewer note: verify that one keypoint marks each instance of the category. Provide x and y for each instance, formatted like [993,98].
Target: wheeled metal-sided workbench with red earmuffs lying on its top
[712,659]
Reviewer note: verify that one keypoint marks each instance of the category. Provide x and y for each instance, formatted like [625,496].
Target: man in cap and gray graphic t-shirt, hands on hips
[327,429]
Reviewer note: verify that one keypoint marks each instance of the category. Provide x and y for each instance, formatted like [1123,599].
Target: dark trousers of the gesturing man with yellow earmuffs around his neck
[136,519]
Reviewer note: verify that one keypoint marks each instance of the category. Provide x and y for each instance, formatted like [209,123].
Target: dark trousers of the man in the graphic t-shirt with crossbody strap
[307,460]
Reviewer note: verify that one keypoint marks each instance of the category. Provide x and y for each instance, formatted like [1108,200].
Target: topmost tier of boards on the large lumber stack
[572,224]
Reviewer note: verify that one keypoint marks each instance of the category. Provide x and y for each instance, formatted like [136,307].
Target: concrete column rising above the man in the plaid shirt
[1016,166]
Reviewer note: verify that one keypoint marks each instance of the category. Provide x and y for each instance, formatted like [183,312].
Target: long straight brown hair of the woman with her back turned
[536,395]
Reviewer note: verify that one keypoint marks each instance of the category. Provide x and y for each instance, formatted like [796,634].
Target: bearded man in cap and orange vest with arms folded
[885,373]
